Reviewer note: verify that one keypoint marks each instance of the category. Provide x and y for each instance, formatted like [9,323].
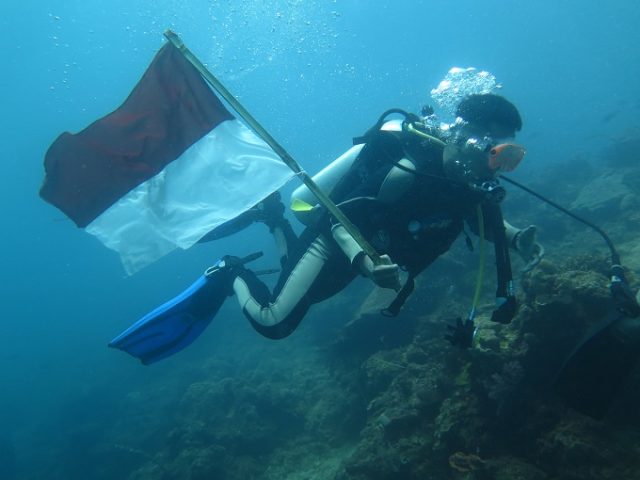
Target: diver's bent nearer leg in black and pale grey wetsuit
[320,272]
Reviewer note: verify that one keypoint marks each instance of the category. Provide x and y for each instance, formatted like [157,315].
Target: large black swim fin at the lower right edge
[598,368]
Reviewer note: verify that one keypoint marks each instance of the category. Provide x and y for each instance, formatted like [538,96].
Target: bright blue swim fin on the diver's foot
[175,324]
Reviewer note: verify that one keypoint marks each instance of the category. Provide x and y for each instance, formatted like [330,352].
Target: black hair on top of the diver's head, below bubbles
[486,108]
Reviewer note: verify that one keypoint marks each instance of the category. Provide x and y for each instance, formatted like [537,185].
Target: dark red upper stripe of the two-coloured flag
[169,109]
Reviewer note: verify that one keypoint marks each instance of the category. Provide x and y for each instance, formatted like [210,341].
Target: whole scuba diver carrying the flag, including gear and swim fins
[409,186]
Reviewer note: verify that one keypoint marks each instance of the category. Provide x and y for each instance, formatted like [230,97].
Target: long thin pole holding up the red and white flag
[322,197]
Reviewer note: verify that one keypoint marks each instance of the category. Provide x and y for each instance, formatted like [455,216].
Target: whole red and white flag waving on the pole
[161,171]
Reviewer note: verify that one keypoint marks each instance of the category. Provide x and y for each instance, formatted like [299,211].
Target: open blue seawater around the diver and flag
[315,73]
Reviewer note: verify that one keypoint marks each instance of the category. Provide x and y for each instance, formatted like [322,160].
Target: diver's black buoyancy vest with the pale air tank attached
[423,222]
